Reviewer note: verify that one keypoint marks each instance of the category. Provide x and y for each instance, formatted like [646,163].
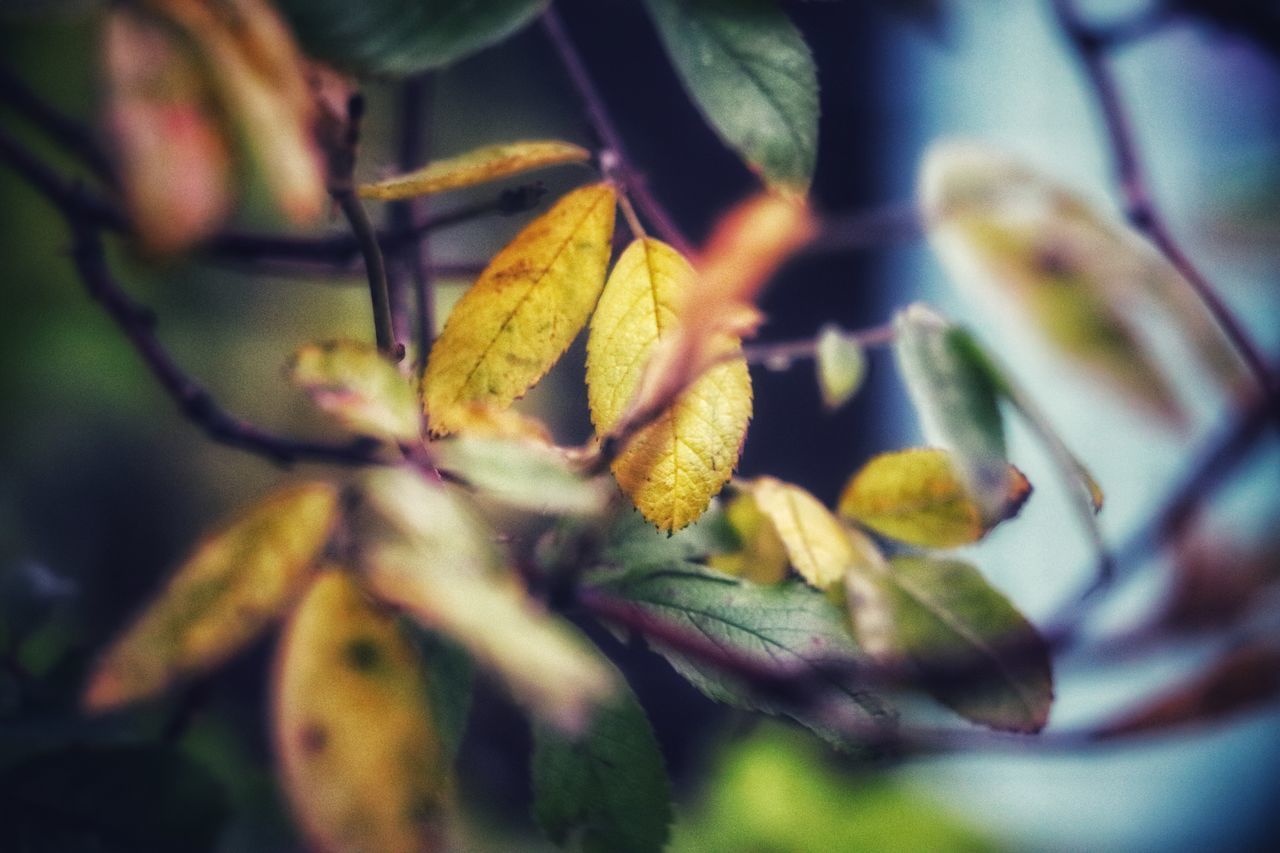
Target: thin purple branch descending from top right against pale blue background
[1091,51]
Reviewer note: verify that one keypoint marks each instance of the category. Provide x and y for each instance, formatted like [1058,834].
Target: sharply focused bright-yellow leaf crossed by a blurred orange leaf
[674,467]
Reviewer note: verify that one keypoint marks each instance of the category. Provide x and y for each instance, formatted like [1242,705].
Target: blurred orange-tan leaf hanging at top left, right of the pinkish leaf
[260,83]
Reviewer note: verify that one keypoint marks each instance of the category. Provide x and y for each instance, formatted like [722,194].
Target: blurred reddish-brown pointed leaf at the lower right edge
[1241,681]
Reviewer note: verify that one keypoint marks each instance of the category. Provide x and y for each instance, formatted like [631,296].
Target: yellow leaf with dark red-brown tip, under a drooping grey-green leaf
[916,496]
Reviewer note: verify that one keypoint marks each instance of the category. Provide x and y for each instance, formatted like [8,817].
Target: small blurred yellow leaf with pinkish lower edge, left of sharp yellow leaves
[360,387]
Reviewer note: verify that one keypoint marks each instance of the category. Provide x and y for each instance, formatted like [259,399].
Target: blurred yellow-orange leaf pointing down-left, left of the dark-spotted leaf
[237,583]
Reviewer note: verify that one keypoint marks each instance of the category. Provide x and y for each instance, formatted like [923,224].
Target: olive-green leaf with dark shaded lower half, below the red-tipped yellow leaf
[972,649]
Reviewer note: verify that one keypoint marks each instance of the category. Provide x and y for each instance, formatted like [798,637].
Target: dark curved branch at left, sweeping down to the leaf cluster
[136,322]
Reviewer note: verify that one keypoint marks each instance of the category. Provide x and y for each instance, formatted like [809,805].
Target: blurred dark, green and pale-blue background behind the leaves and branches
[104,486]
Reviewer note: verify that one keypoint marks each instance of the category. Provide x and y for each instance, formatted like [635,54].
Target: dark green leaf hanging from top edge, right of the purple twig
[749,71]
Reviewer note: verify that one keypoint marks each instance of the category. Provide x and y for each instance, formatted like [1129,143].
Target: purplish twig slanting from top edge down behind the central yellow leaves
[616,154]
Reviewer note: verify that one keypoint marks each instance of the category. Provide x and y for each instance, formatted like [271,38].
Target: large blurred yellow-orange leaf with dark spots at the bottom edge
[359,754]
